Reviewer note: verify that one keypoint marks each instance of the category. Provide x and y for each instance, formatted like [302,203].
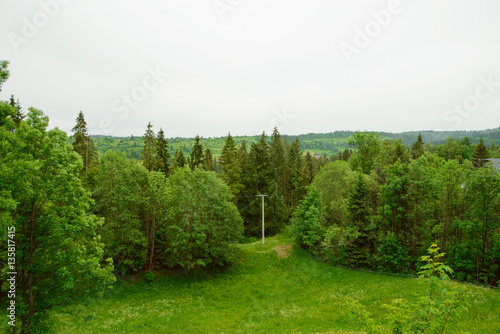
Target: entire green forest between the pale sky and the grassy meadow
[85,209]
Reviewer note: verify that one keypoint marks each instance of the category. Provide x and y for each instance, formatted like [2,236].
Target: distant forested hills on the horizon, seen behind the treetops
[322,143]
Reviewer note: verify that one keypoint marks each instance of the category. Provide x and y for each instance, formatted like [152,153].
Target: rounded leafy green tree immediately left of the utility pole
[200,222]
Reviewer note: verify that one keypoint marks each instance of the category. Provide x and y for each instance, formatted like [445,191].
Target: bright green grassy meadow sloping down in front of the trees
[260,294]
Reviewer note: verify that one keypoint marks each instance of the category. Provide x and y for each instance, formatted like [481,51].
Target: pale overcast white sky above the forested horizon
[208,67]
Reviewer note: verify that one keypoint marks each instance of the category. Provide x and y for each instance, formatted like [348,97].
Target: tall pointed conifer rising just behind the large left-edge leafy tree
[84,146]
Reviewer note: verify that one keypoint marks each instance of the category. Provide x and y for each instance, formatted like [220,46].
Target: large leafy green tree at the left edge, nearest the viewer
[56,239]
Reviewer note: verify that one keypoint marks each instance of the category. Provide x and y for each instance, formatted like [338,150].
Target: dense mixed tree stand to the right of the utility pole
[382,208]
